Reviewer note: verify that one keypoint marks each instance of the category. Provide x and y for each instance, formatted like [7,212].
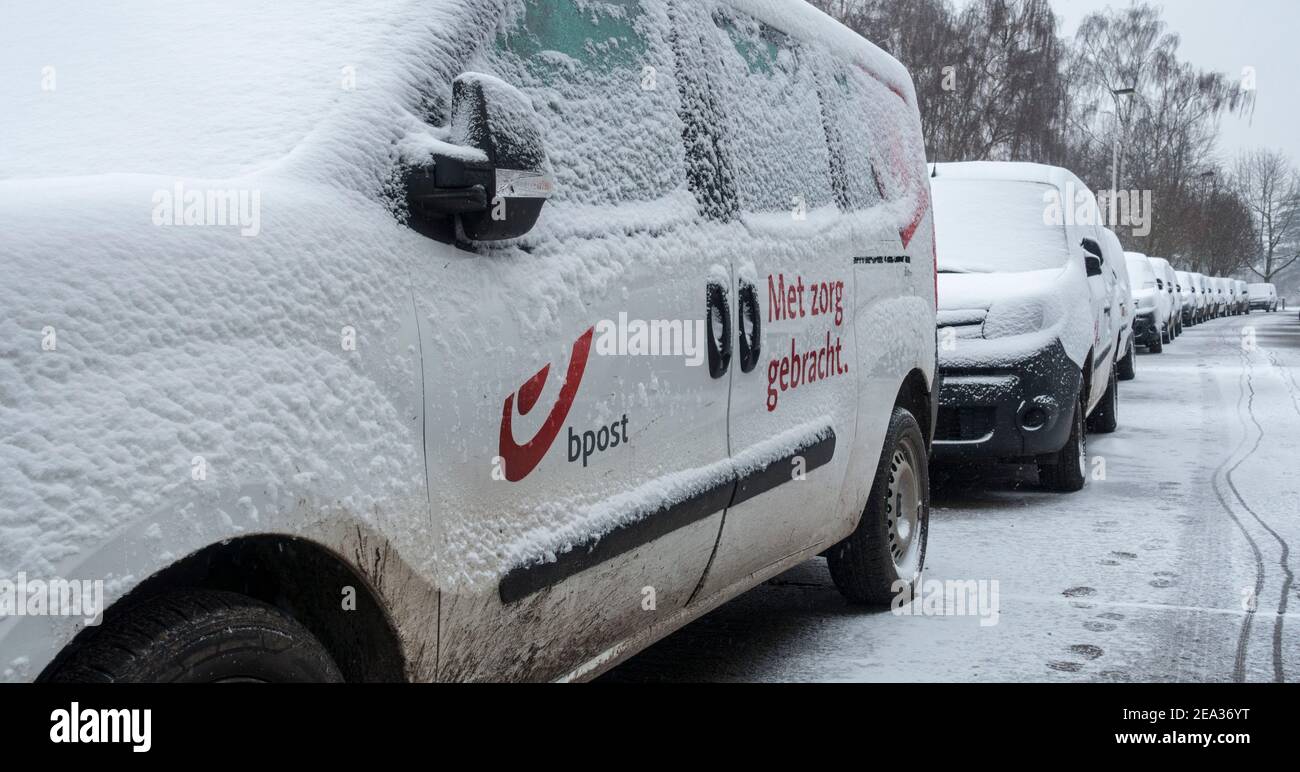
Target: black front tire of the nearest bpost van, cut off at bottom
[198,637]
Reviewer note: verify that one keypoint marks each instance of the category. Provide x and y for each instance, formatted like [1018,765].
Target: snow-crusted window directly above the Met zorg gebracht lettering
[781,157]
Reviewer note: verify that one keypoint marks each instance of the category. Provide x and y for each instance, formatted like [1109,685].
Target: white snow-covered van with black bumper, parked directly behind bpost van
[1026,353]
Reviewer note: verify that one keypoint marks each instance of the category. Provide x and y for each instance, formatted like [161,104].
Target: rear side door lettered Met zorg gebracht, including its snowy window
[794,402]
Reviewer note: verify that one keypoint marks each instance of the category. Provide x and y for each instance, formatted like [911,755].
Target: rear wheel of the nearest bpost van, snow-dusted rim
[887,553]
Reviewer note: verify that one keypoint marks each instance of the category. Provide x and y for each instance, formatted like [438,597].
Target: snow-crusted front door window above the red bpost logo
[603,80]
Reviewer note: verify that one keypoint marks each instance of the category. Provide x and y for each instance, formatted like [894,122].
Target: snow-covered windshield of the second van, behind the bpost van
[996,227]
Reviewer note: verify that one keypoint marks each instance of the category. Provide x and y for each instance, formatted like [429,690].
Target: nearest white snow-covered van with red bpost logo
[561,326]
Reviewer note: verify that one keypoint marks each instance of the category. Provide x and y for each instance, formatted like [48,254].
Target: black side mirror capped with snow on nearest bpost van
[499,188]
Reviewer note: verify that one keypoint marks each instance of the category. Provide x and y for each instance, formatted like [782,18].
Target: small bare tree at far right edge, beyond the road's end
[1271,187]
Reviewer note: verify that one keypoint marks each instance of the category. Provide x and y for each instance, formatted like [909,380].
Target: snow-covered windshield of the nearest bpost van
[188,89]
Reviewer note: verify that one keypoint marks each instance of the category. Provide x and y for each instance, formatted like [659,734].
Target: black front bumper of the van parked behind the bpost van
[1017,411]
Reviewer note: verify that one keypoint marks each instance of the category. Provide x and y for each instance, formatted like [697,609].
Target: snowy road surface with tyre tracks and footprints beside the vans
[1146,576]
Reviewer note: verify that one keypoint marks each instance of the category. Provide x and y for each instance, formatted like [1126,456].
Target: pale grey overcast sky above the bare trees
[1228,36]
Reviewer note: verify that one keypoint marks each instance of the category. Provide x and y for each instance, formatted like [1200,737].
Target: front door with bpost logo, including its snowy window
[578,410]
